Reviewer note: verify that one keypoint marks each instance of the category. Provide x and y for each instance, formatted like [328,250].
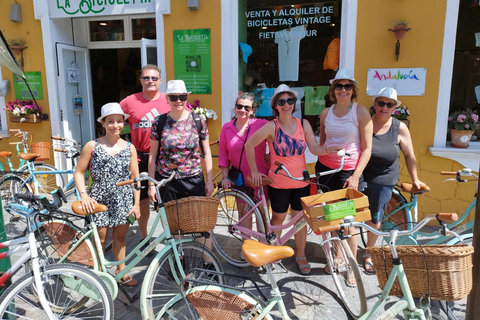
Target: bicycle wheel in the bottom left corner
[63,286]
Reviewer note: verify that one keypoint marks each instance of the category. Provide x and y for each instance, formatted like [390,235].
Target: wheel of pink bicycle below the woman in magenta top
[227,240]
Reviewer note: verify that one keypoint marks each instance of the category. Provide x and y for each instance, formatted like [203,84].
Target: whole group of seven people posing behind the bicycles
[164,131]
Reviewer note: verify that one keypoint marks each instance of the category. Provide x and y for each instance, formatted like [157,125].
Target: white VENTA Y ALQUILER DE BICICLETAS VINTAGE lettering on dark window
[274,22]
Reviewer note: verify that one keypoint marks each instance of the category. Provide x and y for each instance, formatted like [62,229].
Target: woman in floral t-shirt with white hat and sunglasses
[179,144]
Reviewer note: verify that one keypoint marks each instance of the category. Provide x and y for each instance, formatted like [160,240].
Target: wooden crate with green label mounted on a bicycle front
[328,209]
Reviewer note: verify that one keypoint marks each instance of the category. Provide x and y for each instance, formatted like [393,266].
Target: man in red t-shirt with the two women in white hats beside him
[163,131]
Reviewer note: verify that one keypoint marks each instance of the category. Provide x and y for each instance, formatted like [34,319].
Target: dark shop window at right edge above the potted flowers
[465,92]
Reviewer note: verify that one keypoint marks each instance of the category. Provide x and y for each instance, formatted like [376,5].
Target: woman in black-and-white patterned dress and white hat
[110,159]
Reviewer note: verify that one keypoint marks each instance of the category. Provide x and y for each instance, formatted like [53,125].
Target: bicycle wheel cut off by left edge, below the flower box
[15,224]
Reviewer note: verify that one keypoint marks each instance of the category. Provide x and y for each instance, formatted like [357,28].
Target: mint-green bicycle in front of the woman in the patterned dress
[164,274]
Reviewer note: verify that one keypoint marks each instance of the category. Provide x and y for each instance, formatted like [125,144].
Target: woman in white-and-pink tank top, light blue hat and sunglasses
[347,124]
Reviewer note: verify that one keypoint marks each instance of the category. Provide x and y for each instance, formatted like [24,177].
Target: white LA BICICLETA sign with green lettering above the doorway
[88,8]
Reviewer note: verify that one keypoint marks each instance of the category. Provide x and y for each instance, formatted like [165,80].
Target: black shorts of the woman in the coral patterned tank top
[280,199]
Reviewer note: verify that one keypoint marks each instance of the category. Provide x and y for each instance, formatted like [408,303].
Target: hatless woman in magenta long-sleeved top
[232,139]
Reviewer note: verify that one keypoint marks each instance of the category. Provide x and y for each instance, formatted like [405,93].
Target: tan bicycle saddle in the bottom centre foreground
[259,254]
